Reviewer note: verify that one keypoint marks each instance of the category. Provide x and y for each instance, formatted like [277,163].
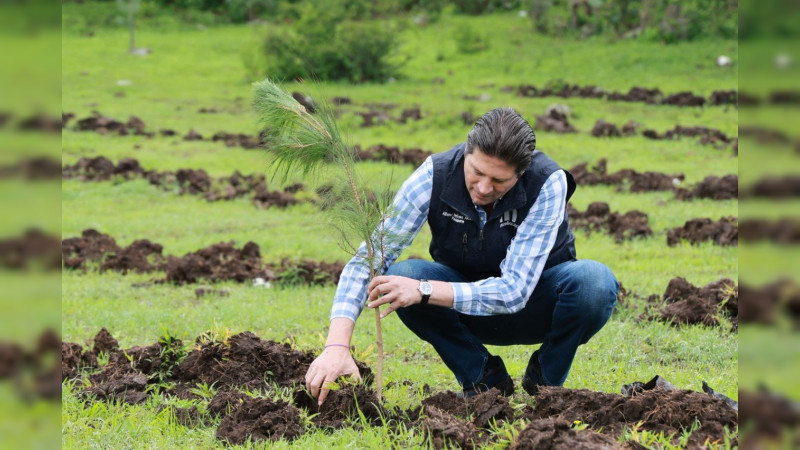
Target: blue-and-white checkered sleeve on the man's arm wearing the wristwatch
[524,261]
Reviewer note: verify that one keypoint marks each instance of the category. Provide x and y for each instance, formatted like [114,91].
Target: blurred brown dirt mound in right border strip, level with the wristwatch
[761,305]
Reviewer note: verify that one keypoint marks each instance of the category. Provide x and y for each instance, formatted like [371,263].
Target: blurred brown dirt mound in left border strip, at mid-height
[32,249]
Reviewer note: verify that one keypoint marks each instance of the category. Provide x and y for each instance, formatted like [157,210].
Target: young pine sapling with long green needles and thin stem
[304,141]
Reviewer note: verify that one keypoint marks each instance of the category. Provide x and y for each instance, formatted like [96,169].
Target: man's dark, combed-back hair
[504,134]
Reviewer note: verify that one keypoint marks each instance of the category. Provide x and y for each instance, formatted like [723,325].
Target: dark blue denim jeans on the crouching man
[571,302]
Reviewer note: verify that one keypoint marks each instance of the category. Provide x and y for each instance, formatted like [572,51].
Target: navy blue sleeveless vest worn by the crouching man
[457,239]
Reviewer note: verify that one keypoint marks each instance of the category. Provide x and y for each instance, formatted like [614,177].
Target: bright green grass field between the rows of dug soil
[191,69]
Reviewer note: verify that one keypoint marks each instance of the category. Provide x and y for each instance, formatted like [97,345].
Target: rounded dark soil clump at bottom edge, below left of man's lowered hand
[260,419]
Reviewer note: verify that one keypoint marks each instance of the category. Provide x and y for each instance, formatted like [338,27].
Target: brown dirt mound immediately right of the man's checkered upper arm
[598,217]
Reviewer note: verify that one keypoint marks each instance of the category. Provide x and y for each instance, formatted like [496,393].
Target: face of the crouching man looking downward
[488,178]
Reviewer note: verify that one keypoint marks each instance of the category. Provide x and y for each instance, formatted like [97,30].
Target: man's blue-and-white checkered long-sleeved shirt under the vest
[520,270]
